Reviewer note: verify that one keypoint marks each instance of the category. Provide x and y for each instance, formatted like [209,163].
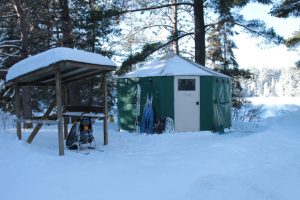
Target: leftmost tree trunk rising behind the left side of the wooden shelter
[24,27]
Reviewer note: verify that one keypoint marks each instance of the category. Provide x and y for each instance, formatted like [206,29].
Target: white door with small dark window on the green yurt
[187,103]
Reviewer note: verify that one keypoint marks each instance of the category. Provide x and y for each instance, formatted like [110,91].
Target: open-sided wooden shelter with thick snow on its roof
[57,67]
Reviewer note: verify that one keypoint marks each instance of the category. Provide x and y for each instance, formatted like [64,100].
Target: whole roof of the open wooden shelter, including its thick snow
[71,62]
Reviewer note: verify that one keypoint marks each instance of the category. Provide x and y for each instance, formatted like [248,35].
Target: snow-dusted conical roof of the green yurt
[172,65]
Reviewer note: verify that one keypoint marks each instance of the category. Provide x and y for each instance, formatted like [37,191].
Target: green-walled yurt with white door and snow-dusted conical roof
[194,97]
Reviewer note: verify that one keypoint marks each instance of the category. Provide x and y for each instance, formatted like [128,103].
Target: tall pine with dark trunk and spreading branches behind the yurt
[227,13]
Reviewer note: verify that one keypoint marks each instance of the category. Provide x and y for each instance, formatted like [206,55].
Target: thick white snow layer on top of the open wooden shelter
[55,55]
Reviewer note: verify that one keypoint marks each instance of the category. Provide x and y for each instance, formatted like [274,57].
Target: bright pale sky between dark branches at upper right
[251,53]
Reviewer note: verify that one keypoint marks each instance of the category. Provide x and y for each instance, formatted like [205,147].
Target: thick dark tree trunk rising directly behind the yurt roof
[199,32]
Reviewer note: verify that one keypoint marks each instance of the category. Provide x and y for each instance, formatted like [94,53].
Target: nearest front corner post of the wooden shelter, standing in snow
[59,112]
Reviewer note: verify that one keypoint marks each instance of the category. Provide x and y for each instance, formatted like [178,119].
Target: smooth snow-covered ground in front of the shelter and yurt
[258,160]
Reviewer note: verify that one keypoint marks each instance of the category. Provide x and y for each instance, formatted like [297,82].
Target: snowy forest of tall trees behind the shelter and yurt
[132,32]
